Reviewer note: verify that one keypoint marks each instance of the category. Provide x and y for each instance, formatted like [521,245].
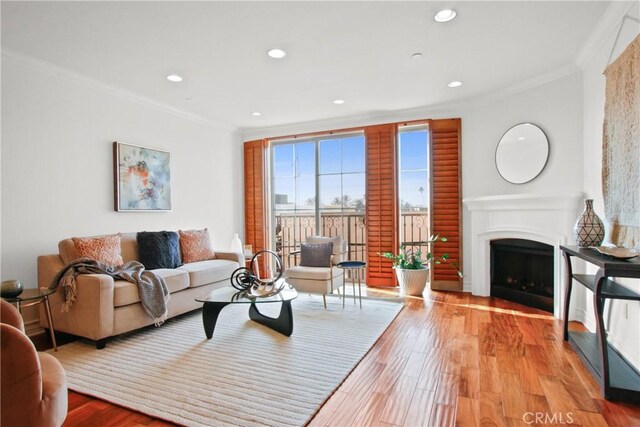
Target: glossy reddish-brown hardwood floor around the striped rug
[449,359]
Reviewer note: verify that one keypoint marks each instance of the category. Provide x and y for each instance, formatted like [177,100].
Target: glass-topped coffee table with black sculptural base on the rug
[216,300]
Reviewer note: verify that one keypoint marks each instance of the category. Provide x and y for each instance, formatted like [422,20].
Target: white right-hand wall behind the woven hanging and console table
[623,332]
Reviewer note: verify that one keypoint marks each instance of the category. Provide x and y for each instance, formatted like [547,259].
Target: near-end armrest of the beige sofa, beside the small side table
[91,315]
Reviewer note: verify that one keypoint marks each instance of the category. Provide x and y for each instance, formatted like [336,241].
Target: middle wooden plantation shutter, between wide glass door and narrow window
[381,212]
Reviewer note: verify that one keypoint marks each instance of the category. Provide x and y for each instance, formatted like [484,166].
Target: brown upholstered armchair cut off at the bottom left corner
[34,385]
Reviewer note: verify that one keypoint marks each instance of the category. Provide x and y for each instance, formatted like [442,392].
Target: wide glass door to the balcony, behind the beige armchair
[318,188]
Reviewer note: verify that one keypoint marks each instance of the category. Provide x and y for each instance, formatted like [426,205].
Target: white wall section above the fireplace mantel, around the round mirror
[556,108]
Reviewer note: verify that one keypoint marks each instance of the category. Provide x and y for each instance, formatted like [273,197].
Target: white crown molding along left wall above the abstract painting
[58,71]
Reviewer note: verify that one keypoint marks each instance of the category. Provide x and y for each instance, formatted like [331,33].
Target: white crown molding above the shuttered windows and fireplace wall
[436,111]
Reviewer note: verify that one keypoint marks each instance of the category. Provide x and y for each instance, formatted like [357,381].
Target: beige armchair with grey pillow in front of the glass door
[316,270]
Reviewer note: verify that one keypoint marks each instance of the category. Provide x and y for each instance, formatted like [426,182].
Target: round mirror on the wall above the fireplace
[522,153]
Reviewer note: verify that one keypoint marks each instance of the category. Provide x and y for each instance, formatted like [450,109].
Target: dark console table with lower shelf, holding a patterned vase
[618,379]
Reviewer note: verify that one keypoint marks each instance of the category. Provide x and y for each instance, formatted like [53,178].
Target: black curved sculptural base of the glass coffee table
[282,324]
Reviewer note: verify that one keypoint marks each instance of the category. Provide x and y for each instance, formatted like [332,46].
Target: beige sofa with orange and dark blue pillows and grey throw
[106,307]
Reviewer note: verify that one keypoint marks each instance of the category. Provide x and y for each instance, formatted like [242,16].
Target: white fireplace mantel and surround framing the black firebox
[546,218]
